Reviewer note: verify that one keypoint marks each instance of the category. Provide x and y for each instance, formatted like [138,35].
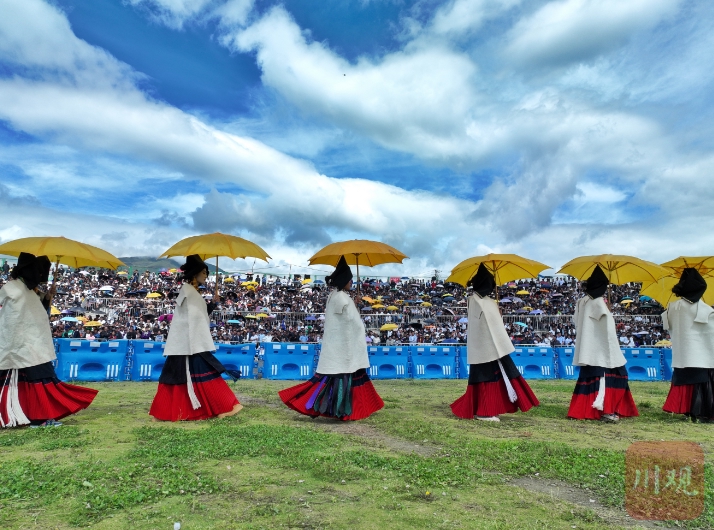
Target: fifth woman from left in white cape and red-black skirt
[602,391]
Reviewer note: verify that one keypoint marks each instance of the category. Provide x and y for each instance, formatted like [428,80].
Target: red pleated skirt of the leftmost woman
[46,398]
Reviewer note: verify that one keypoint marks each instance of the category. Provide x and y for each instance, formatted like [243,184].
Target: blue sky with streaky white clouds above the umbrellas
[547,128]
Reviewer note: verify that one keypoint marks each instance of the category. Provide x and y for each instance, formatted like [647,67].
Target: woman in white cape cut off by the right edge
[691,326]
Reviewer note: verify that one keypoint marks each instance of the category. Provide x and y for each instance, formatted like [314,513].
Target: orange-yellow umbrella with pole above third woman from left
[358,251]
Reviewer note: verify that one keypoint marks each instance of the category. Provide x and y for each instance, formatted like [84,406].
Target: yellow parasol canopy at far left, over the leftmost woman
[62,250]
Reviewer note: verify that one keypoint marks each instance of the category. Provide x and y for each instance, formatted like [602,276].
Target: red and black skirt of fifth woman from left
[618,398]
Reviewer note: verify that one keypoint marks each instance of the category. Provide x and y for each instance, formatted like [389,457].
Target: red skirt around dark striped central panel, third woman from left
[365,399]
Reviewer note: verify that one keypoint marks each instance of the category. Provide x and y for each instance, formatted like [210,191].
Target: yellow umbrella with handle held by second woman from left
[215,245]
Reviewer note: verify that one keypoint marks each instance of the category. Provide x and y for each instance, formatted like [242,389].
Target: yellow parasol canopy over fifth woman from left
[618,269]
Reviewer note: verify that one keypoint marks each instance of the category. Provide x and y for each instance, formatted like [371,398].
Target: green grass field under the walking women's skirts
[411,465]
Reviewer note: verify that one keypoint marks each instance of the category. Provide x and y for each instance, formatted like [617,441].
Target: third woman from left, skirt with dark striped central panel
[341,387]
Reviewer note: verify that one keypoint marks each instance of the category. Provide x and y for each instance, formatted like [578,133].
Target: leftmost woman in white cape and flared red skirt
[30,392]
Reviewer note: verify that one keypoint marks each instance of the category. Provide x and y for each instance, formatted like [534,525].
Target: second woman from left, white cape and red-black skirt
[190,385]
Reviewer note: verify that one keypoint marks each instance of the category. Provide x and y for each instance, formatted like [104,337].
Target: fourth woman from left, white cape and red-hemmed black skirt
[495,385]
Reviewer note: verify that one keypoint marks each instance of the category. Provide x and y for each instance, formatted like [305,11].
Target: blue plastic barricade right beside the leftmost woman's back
[85,360]
